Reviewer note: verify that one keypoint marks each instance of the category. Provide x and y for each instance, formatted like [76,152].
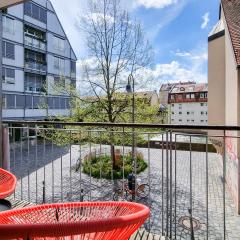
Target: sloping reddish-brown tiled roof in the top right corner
[231,9]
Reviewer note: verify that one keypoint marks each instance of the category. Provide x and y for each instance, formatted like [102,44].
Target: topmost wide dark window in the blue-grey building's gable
[36,12]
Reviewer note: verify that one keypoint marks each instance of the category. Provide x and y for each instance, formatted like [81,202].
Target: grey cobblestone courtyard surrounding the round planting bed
[170,196]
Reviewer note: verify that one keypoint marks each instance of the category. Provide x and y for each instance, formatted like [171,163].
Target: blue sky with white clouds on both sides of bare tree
[176,29]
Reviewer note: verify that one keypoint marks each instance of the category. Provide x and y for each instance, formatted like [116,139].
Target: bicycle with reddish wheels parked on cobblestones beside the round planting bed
[121,194]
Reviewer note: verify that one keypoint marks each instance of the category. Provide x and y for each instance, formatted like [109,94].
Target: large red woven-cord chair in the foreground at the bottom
[74,221]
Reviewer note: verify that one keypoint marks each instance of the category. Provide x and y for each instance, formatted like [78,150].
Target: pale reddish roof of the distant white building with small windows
[190,88]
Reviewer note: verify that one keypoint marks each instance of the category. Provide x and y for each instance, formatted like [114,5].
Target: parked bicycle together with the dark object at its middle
[128,189]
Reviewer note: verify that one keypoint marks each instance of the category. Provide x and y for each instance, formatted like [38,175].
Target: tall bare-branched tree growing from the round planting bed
[117,48]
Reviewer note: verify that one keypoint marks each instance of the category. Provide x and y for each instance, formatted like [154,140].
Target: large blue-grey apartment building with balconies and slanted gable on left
[37,56]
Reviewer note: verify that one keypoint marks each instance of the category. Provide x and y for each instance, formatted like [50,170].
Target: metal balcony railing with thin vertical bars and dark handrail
[192,171]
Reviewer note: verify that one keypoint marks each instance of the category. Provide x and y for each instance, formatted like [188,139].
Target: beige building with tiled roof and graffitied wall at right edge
[224,87]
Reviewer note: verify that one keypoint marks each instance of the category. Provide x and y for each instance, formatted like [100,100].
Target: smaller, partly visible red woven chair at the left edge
[7,183]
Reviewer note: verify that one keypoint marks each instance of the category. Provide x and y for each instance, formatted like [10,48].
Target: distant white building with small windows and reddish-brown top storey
[188,104]
